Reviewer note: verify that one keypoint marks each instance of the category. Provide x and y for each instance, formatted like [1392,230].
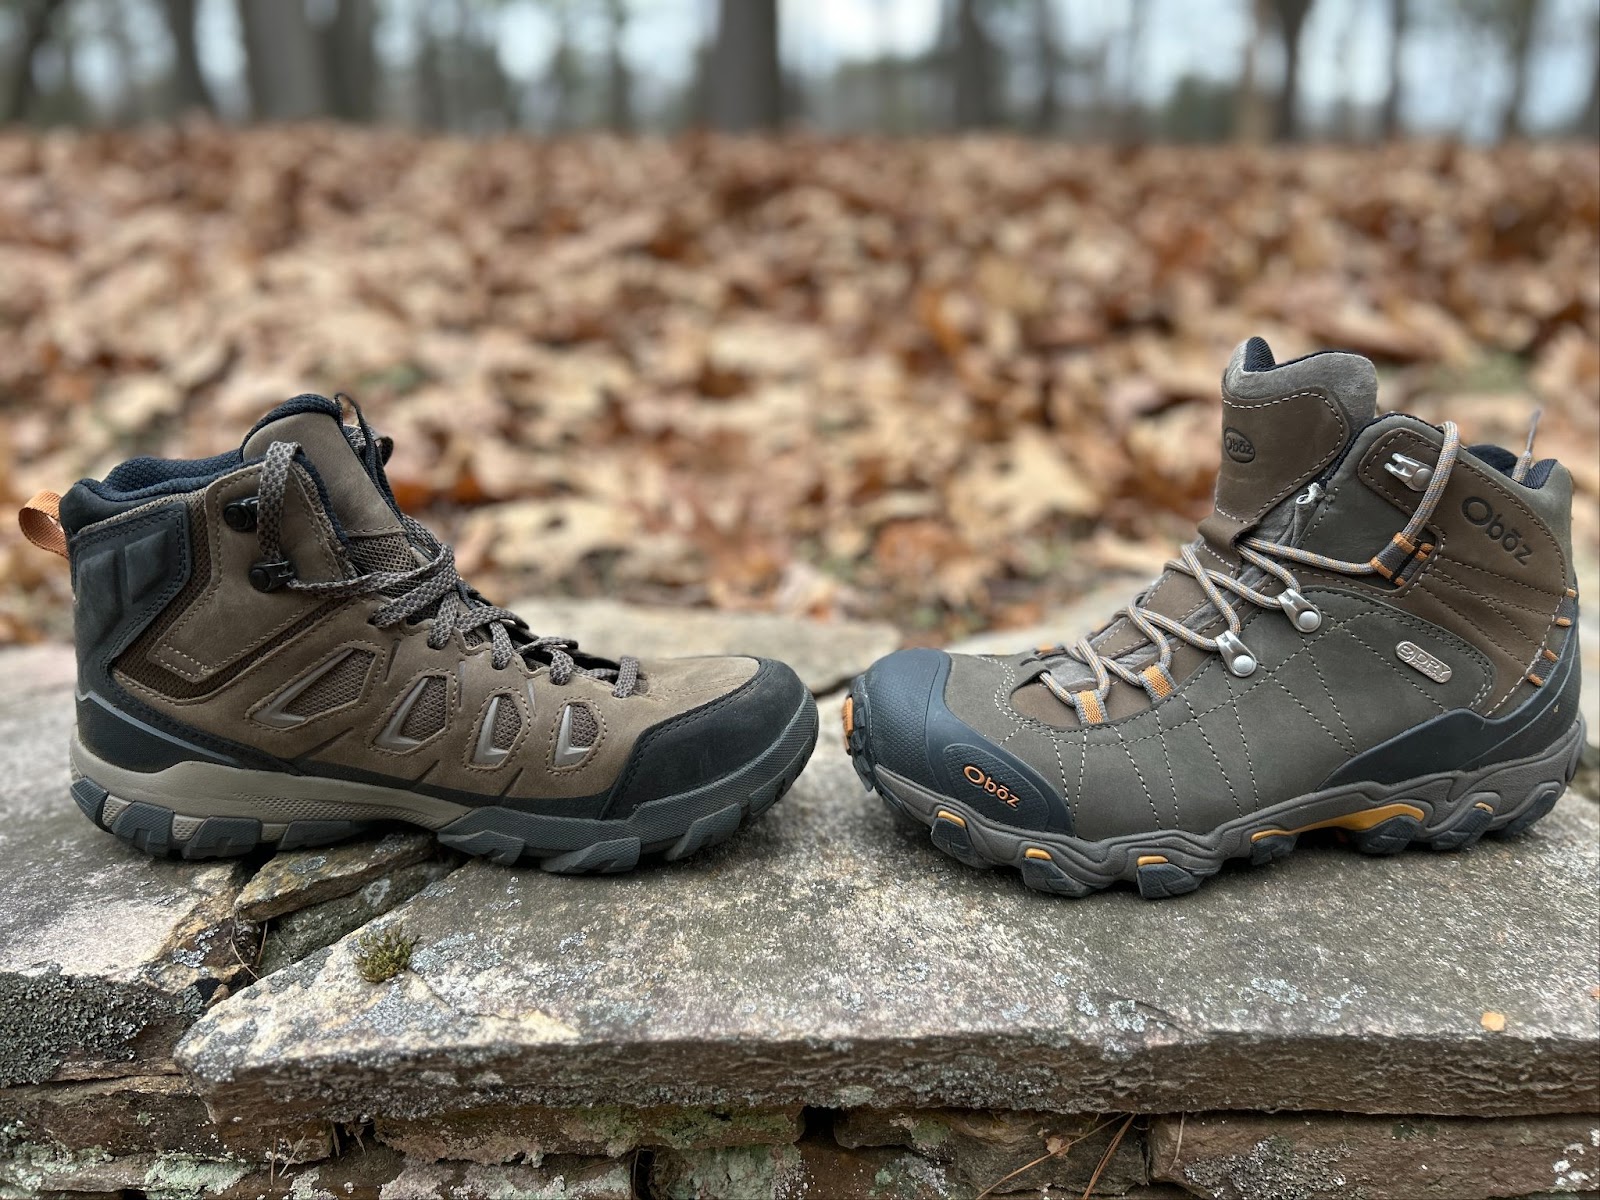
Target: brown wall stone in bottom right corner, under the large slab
[1326,1156]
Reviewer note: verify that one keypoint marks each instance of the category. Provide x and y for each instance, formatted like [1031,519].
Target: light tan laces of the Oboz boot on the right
[1404,550]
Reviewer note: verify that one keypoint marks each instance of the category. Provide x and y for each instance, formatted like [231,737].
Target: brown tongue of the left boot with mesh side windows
[354,489]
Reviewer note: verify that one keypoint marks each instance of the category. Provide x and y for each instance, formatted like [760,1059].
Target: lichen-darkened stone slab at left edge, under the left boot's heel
[106,956]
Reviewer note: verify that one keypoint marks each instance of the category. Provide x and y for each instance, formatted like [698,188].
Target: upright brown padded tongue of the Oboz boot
[1282,426]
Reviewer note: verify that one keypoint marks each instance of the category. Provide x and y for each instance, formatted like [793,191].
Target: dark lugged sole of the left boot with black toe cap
[668,830]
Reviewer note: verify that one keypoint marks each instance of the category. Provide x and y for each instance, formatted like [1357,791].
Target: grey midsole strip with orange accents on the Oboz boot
[1439,801]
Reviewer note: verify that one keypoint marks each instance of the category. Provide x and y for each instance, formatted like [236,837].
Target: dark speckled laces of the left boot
[460,609]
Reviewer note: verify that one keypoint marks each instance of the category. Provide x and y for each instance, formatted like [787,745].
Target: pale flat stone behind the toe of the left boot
[825,654]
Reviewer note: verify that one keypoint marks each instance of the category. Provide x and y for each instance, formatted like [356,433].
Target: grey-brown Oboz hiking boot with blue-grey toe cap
[1375,634]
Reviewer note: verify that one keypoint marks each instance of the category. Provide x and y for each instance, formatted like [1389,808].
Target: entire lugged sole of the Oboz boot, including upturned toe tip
[1442,812]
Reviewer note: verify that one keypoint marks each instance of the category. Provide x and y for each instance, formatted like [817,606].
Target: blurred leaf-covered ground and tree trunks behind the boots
[870,308]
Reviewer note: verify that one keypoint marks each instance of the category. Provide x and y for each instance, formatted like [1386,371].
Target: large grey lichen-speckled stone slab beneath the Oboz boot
[833,958]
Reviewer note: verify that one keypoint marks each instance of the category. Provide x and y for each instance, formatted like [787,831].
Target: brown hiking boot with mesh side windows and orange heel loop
[271,652]
